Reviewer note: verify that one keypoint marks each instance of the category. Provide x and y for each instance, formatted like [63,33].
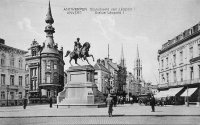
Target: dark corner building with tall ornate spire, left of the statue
[45,65]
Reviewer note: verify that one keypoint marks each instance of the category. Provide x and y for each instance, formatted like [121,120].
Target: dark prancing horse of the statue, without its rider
[84,53]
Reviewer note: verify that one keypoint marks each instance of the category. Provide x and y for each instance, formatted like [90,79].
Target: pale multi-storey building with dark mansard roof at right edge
[179,63]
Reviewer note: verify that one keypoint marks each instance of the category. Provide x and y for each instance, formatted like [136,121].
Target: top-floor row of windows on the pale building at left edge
[12,61]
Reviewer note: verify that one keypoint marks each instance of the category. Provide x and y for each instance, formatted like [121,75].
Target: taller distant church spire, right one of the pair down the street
[138,67]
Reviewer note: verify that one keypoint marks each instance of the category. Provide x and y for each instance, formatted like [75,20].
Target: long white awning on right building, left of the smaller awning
[170,92]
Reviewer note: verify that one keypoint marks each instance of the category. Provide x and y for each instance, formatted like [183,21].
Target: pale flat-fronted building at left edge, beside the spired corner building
[12,71]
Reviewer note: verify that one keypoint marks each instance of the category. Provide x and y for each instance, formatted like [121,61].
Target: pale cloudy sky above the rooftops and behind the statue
[146,23]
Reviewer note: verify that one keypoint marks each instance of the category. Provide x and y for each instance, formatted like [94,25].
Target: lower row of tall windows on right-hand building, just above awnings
[181,75]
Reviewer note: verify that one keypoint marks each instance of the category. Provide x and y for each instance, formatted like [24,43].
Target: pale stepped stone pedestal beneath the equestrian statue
[80,89]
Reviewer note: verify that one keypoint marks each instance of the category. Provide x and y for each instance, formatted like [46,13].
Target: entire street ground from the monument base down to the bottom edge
[123,114]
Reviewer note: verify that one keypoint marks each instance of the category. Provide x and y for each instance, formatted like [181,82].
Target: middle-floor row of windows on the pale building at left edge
[12,80]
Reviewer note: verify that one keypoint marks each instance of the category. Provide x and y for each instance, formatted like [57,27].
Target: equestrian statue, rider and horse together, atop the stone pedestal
[79,52]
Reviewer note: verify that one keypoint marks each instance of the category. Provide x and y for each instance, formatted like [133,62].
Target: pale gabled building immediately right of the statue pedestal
[101,76]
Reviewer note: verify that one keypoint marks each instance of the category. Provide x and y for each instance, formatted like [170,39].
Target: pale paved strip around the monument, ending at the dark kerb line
[120,110]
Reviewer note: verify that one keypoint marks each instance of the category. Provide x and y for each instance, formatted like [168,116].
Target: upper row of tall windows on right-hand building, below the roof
[180,57]
